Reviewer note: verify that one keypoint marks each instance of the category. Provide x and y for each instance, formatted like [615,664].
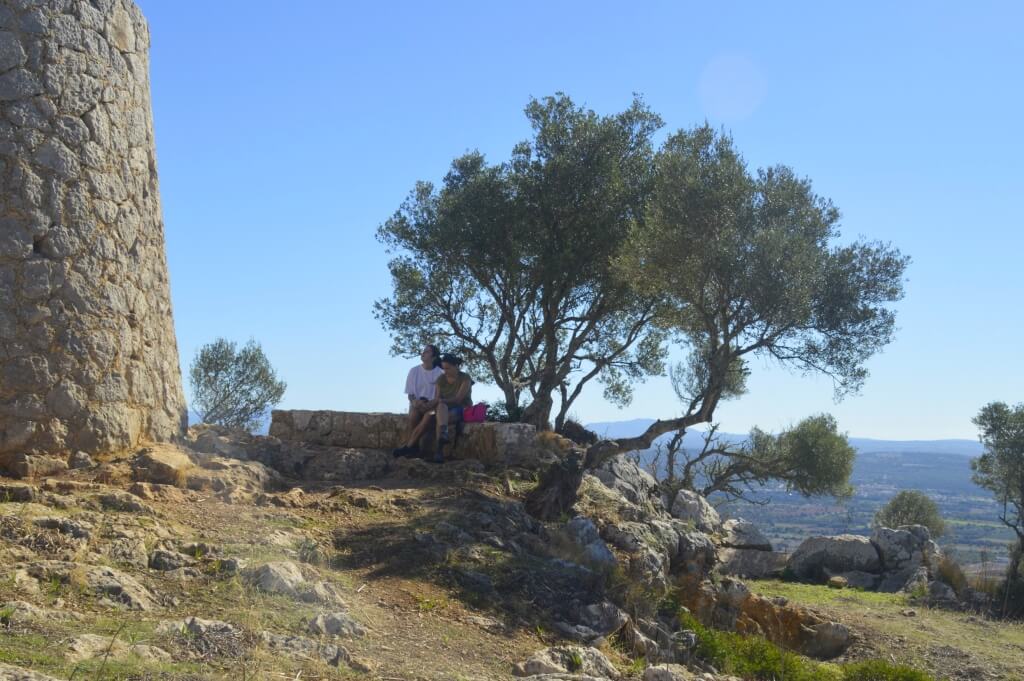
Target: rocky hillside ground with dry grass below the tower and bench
[177,565]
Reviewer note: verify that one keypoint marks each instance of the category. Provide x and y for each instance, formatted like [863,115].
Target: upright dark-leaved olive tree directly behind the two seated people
[513,263]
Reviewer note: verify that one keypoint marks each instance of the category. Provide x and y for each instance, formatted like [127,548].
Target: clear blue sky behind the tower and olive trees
[288,133]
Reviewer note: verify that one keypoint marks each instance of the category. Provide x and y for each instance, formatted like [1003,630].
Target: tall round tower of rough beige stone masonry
[89,359]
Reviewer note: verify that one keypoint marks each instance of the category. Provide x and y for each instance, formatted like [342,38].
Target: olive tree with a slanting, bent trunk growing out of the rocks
[744,265]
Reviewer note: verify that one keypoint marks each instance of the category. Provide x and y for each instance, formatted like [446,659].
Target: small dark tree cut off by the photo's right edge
[1001,471]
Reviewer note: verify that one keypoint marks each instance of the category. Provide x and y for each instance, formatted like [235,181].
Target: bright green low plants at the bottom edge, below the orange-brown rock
[756,658]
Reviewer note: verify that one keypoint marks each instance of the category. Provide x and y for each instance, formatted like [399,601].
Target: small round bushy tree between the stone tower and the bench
[233,388]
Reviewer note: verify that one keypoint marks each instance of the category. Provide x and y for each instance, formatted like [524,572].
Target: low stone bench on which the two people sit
[494,444]
